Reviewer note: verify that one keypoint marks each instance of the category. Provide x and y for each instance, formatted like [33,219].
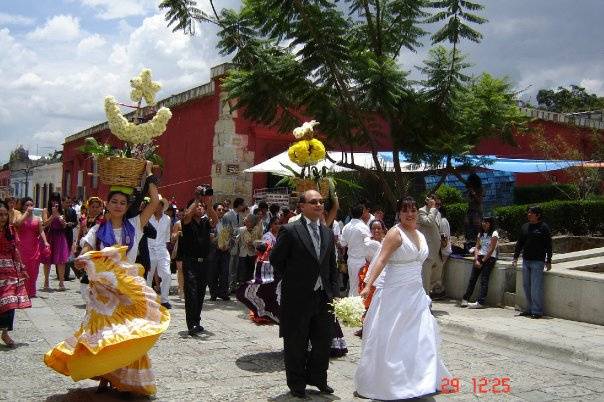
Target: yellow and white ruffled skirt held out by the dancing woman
[123,321]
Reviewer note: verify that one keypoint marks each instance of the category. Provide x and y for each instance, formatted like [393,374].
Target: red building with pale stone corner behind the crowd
[207,143]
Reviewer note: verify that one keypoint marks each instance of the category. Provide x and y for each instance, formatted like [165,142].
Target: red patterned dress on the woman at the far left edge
[13,294]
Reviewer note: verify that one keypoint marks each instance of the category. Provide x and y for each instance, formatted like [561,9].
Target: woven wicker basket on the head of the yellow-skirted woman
[115,171]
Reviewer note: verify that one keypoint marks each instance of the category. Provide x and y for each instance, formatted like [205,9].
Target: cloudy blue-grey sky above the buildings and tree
[60,58]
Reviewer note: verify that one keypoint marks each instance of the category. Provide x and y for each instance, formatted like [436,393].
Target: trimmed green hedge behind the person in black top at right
[565,217]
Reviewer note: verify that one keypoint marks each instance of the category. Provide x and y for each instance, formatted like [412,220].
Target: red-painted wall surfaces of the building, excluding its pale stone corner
[186,148]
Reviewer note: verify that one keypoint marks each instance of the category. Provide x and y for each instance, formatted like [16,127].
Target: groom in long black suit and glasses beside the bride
[304,256]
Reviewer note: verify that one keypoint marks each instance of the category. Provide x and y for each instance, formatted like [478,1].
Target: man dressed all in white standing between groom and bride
[353,236]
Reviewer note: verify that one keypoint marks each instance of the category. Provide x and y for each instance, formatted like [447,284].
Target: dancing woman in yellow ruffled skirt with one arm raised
[123,318]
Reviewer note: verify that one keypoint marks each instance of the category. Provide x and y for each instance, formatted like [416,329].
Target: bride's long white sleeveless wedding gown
[400,357]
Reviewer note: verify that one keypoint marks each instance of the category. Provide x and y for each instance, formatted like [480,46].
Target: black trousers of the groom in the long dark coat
[309,367]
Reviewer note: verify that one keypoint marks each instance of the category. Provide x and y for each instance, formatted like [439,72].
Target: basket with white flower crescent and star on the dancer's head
[123,168]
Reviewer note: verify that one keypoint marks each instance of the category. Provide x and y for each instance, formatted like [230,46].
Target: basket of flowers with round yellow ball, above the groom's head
[306,153]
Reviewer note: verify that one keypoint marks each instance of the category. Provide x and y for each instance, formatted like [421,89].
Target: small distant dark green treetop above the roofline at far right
[563,100]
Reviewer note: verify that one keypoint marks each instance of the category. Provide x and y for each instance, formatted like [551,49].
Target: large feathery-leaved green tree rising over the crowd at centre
[339,62]
